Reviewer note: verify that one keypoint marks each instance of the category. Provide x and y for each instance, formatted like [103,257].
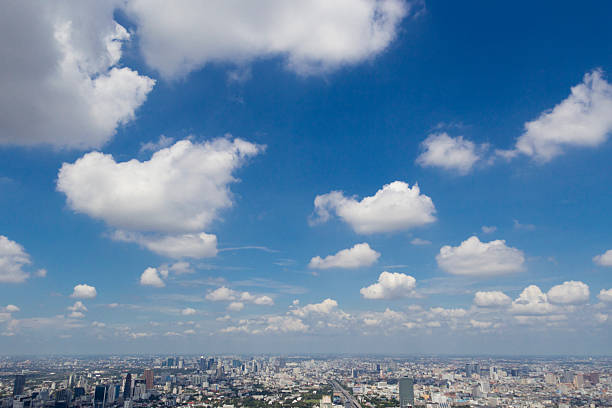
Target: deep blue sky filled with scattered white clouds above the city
[356,176]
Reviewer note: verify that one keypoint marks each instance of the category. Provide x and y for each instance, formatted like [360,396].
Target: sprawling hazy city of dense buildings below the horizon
[304,382]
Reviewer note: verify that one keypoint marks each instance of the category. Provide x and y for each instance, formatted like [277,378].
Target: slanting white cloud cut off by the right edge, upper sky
[583,119]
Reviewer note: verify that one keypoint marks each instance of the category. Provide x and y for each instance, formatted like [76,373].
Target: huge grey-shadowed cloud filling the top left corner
[63,85]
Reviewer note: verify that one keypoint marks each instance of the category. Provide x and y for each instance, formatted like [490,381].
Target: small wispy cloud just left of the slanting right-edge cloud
[450,153]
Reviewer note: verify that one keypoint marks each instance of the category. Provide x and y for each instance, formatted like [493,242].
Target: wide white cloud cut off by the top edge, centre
[312,36]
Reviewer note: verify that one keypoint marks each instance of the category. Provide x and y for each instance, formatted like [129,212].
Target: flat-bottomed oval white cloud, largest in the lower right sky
[476,258]
